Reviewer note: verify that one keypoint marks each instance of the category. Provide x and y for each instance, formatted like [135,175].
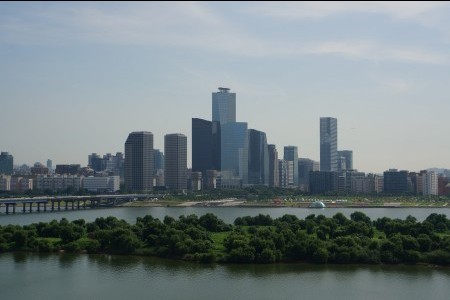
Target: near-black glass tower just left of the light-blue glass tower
[202,146]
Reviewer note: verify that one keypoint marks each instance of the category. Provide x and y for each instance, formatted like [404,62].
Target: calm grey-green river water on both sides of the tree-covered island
[67,276]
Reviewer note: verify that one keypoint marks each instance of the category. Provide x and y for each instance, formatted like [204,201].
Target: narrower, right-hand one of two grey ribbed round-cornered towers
[175,153]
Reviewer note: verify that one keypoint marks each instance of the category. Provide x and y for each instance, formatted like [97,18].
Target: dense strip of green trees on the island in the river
[258,239]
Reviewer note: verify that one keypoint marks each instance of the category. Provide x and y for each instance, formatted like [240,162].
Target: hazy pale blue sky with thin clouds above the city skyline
[78,77]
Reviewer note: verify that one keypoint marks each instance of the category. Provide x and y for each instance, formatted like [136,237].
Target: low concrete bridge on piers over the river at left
[72,202]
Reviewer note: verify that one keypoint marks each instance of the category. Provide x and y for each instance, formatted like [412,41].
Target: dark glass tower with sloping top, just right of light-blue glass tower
[258,158]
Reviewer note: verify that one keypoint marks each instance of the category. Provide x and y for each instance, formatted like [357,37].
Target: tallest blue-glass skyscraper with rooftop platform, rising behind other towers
[224,106]
